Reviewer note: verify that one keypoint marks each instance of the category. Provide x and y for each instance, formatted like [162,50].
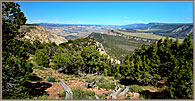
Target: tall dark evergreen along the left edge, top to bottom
[15,65]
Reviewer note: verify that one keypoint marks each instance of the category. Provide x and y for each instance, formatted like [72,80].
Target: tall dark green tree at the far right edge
[180,80]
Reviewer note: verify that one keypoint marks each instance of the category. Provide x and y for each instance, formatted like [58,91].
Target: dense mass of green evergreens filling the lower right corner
[166,59]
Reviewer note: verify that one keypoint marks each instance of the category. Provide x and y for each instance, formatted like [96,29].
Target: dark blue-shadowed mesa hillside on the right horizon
[176,30]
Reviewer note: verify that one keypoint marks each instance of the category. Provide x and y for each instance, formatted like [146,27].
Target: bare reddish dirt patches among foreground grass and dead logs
[56,88]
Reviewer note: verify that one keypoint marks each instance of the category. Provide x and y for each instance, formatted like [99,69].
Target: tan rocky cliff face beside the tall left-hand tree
[33,32]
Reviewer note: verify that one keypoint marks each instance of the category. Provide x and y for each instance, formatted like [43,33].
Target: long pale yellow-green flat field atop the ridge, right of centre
[145,35]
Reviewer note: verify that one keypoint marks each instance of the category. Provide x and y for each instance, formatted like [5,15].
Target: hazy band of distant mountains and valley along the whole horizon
[72,31]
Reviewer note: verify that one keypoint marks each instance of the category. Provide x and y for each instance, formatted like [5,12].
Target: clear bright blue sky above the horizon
[107,13]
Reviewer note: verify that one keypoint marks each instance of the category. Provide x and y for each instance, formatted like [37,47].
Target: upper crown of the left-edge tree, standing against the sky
[12,19]
